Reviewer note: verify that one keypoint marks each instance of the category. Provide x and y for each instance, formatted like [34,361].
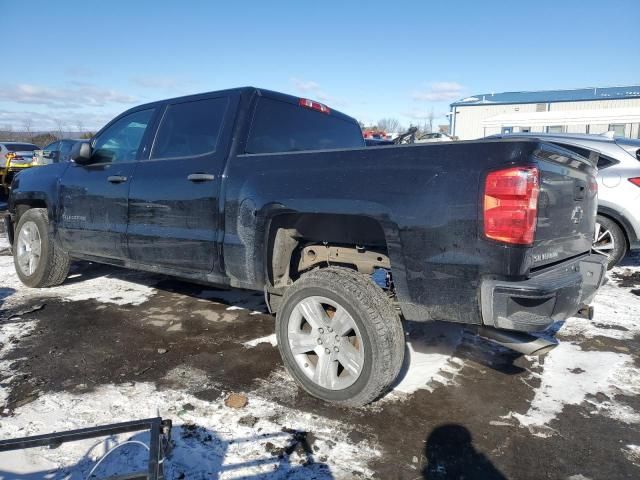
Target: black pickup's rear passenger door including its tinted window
[174,213]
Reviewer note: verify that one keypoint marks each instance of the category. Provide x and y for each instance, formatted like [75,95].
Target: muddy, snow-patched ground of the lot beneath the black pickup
[113,345]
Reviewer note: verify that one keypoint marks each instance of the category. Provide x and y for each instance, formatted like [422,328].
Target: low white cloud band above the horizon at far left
[75,95]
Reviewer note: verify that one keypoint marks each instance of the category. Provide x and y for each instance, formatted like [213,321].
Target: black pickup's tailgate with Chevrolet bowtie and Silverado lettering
[567,206]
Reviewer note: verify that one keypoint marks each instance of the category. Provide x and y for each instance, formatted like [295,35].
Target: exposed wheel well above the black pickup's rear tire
[290,234]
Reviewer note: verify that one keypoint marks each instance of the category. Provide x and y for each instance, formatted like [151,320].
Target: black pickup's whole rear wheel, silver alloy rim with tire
[339,336]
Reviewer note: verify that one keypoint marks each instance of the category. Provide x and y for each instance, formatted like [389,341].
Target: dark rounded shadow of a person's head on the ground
[449,454]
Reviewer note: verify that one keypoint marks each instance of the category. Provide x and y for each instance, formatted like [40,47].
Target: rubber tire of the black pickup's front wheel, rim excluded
[53,265]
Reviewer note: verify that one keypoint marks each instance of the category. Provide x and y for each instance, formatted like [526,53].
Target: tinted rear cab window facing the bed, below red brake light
[284,127]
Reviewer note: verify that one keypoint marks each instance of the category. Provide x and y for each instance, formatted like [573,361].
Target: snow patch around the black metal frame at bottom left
[209,438]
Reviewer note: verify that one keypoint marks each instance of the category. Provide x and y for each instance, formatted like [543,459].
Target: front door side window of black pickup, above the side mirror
[121,141]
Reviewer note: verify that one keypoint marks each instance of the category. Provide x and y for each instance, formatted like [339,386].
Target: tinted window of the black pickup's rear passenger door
[190,129]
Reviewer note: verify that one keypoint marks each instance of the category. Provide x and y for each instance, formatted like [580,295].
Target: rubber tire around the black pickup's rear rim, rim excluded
[378,322]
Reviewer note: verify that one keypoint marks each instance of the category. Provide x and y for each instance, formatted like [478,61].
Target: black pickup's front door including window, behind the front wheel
[93,198]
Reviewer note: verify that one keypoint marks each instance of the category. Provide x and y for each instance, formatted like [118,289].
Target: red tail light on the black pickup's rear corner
[511,205]
